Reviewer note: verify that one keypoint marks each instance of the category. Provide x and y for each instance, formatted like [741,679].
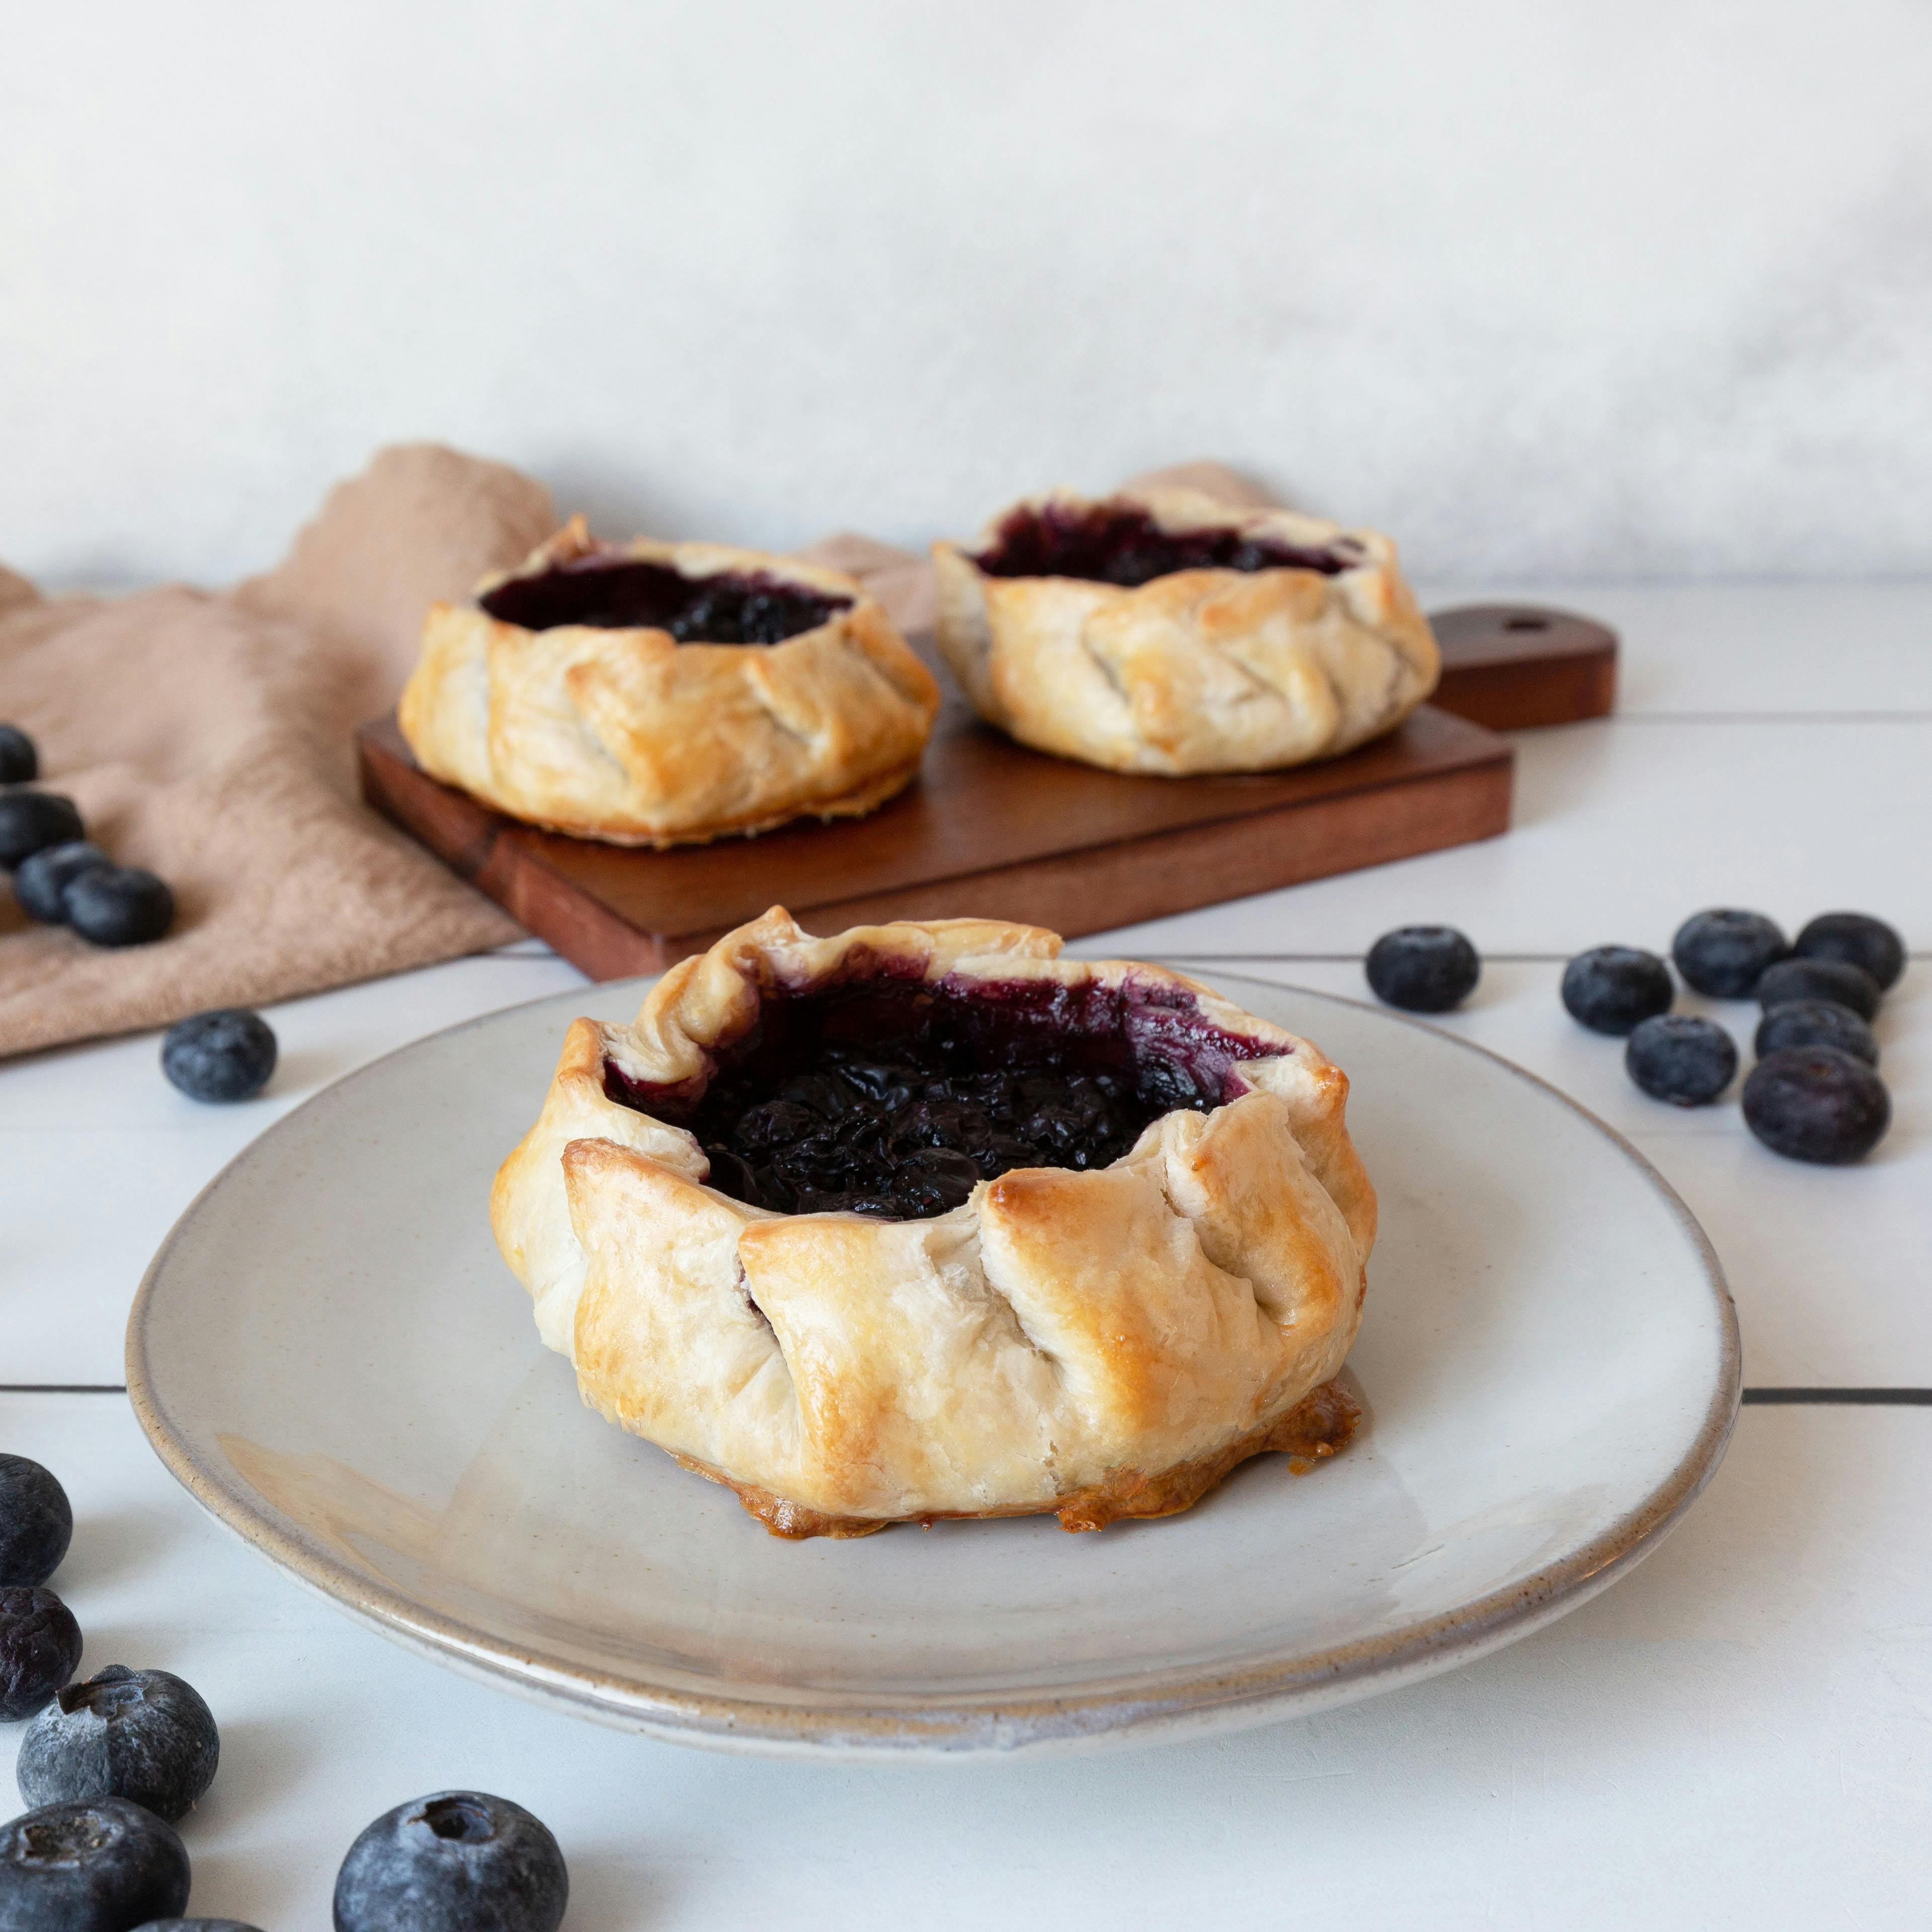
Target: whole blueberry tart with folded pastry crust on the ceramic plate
[930,1222]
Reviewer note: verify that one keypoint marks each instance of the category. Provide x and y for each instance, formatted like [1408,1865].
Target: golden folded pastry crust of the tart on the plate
[1094,1344]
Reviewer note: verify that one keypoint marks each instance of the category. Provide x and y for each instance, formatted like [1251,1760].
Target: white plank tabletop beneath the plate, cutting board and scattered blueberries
[1734,1736]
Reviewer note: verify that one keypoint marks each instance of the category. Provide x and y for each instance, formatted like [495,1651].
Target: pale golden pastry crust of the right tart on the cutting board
[1199,669]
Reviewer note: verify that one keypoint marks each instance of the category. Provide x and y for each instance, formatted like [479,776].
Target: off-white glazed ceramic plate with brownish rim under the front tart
[335,1361]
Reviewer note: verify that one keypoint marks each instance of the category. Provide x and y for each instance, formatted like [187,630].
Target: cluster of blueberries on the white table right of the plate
[1815,1093]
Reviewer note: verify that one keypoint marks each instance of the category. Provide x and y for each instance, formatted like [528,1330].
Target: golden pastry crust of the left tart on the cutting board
[631,737]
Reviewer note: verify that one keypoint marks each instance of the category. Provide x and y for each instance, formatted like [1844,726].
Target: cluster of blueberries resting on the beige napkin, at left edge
[59,876]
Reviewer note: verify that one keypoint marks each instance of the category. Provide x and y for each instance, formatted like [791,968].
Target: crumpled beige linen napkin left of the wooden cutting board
[208,735]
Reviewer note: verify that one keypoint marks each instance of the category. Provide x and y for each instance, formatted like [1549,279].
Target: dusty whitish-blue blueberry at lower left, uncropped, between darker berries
[138,1736]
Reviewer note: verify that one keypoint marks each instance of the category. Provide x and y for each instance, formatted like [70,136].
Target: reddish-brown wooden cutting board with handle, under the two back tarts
[998,832]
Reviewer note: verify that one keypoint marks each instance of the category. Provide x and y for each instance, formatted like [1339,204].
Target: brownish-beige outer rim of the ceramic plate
[901,1724]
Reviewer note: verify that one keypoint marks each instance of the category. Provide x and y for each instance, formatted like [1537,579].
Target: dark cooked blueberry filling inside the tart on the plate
[911,1135]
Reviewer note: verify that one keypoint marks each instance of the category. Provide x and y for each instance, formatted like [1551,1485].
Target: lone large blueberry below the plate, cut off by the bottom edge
[457,1861]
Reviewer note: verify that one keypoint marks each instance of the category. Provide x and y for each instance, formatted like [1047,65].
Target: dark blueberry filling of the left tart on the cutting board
[631,594]
